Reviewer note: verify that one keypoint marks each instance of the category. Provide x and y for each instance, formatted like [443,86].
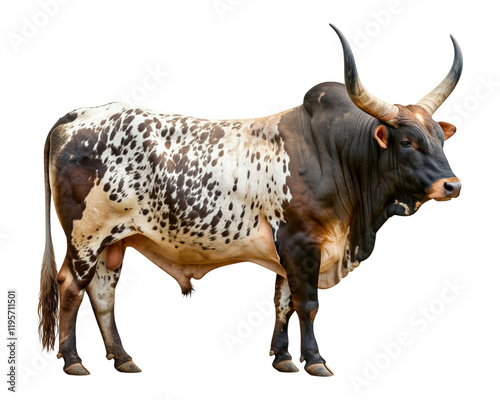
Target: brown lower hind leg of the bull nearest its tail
[71,290]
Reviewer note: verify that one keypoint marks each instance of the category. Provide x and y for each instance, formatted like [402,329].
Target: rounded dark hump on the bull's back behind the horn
[327,95]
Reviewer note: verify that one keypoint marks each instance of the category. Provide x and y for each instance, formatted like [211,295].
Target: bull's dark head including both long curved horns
[411,140]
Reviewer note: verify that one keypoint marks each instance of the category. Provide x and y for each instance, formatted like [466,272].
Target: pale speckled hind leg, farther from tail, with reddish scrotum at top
[101,292]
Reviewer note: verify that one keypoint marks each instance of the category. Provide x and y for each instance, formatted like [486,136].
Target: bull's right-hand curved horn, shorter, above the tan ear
[434,99]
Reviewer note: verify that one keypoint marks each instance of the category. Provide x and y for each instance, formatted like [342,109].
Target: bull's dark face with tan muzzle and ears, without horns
[413,159]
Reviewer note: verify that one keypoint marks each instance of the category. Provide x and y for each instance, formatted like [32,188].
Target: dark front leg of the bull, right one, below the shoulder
[302,260]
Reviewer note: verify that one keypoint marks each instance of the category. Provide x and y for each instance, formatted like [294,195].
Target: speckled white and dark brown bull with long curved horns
[302,193]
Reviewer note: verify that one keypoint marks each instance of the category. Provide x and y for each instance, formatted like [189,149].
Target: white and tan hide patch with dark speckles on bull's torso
[206,192]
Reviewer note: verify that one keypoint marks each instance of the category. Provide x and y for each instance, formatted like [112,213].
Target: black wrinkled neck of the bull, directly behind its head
[362,189]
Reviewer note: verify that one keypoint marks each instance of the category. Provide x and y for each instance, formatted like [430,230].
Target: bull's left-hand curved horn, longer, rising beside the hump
[361,97]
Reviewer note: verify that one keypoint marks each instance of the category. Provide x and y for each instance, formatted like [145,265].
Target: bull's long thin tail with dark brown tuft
[49,297]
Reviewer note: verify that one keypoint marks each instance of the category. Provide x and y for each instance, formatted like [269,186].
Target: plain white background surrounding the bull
[250,58]
